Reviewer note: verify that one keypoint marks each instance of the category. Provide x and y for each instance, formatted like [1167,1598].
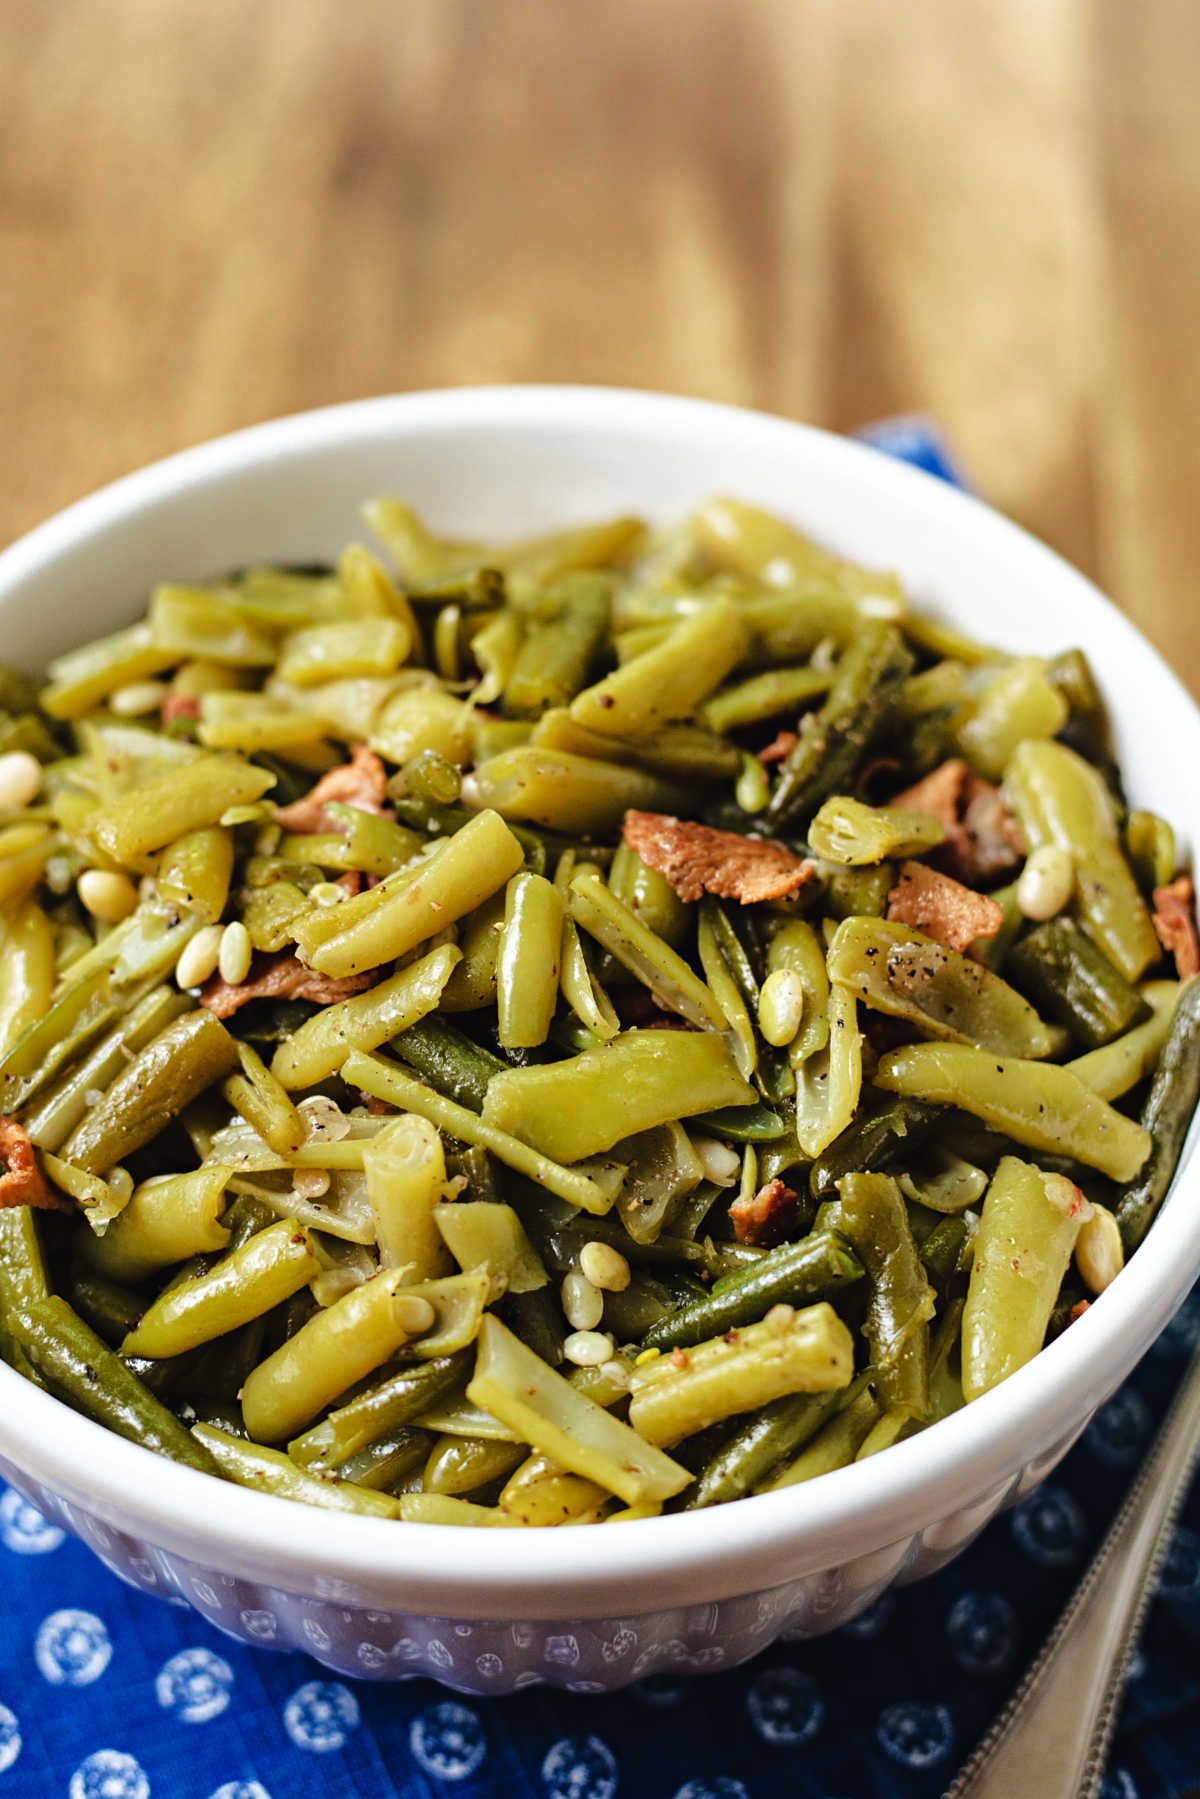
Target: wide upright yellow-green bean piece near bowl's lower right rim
[1026,1233]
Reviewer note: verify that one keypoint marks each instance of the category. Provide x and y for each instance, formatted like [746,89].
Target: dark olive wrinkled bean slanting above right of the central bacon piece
[825,760]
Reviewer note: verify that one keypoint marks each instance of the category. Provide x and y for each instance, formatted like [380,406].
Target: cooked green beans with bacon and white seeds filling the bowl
[577,1028]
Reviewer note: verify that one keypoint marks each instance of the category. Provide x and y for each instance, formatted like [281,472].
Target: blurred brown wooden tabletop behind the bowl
[983,210]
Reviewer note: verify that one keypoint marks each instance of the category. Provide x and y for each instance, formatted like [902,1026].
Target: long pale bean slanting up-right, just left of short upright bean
[413,906]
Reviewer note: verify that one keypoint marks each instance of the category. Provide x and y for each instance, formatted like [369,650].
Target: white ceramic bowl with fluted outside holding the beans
[488,1611]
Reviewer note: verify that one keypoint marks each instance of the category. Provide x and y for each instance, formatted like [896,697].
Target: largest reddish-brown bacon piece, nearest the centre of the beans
[699,861]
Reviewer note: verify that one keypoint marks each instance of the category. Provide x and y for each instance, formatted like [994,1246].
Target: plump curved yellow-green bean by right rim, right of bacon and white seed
[1062,800]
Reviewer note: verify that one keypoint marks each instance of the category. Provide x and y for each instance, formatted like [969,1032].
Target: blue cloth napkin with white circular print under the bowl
[107,1694]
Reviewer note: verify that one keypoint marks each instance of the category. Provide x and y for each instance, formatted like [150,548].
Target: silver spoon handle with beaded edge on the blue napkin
[1053,1735]
